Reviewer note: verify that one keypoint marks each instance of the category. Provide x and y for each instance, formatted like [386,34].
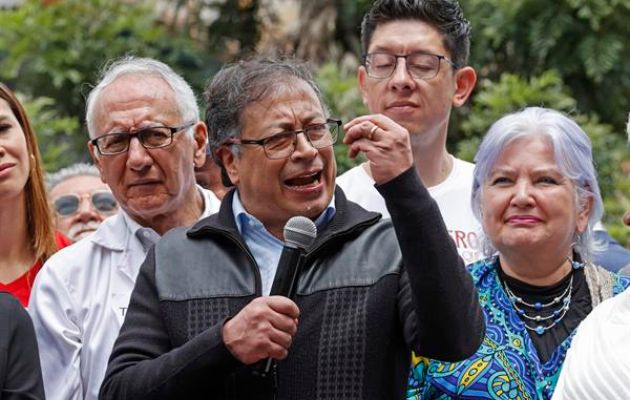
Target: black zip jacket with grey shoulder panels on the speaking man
[365,302]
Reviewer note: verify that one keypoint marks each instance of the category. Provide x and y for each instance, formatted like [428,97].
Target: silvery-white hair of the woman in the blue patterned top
[572,152]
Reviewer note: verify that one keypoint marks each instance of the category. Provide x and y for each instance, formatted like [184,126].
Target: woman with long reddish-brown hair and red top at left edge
[27,236]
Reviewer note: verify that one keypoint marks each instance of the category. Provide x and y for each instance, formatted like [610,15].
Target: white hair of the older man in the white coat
[128,65]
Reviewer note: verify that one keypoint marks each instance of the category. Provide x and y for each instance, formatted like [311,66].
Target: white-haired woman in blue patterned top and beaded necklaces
[536,195]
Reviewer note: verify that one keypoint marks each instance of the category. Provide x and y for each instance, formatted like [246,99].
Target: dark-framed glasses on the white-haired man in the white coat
[152,137]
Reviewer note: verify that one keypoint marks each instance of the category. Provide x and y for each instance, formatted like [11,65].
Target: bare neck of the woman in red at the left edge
[16,251]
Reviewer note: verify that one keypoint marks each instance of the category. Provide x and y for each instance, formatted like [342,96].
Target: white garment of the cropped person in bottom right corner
[598,363]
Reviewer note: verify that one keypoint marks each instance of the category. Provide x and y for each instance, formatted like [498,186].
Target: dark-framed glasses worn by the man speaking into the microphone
[282,145]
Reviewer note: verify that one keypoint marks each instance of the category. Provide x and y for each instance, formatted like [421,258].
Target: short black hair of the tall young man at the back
[445,15]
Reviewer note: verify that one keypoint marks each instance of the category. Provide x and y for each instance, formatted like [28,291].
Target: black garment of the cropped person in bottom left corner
[20,372]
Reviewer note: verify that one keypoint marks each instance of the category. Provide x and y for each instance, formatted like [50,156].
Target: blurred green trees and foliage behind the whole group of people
[564,54]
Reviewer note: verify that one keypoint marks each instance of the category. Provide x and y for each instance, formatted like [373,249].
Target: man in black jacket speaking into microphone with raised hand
[203,320]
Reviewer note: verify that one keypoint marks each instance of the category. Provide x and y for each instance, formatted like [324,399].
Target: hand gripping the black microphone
[264,328]
